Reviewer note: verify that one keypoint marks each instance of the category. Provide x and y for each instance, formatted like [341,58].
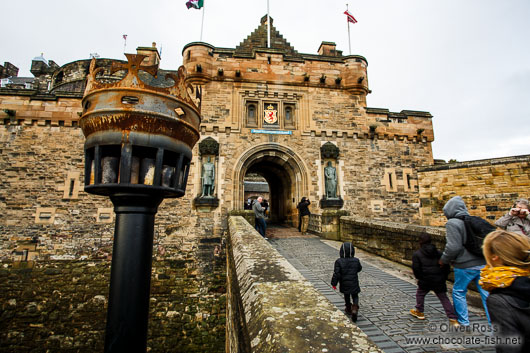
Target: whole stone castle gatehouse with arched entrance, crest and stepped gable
[271,109]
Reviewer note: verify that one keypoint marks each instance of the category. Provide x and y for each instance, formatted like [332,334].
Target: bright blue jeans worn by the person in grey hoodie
[463,276]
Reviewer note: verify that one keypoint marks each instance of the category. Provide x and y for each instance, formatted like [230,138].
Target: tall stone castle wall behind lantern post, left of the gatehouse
[46,216]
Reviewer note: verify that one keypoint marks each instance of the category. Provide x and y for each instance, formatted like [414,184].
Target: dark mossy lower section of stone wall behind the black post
[60,306]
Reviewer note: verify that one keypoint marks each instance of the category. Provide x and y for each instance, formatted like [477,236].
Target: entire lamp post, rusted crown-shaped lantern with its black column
[138,149]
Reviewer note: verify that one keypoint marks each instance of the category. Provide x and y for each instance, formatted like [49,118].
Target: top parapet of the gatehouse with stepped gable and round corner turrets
[253,62]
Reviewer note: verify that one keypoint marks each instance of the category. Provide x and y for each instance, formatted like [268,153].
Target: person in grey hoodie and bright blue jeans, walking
[466,265]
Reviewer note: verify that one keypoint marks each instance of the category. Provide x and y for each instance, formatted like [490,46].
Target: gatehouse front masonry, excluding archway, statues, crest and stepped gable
[379,150]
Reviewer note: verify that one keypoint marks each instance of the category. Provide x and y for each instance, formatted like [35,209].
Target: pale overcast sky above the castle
[467,62]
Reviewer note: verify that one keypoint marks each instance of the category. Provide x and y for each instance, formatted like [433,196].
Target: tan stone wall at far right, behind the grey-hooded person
[489,187]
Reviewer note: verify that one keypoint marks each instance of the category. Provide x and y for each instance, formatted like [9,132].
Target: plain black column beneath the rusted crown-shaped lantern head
[130,280]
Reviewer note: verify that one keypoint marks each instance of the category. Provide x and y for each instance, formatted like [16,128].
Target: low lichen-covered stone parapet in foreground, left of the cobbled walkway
[272,308]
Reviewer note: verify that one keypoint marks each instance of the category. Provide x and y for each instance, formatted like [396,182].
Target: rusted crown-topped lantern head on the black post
[139,135]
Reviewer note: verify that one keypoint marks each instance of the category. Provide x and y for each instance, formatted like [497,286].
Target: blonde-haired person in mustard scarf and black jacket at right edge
[506,278]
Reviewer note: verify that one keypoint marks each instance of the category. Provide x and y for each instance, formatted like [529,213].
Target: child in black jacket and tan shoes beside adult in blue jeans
[431,276]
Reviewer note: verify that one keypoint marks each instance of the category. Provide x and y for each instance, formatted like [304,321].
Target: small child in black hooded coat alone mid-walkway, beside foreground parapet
[345,273]
